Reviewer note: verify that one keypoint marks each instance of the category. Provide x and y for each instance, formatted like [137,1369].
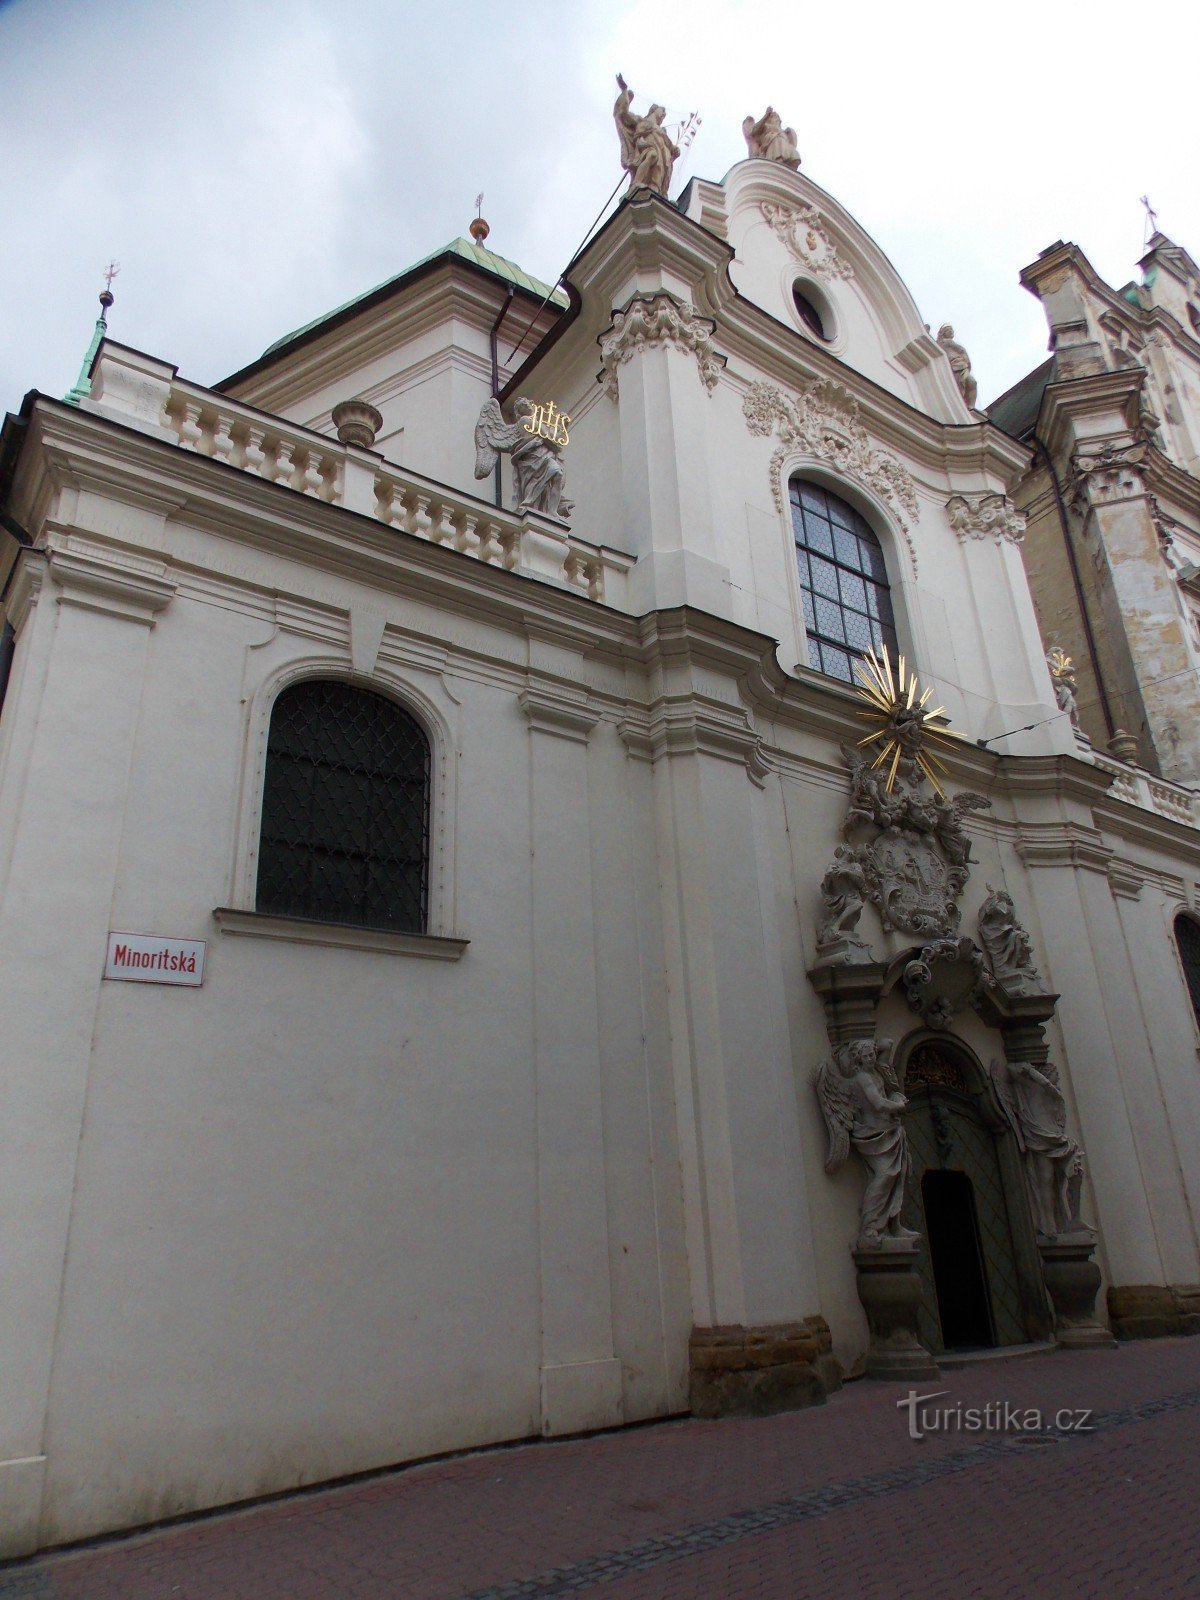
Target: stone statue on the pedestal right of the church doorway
[1054,1162]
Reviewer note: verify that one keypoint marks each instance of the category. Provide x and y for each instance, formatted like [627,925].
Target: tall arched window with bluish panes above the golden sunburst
[842,582]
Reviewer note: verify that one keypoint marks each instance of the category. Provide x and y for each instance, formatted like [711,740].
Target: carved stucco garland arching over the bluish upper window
[825,422]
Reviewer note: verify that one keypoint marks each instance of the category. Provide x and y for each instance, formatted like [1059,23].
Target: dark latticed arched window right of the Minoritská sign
[345,810]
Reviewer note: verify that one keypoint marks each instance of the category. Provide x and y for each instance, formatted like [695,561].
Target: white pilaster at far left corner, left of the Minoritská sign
[74,721]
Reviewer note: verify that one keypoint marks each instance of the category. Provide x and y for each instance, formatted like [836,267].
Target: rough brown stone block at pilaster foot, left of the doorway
[754,1372]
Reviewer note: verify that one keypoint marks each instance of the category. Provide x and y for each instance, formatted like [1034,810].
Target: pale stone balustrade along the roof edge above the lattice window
[135,390]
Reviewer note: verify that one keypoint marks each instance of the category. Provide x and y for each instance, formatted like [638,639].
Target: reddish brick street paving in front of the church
[836,1503]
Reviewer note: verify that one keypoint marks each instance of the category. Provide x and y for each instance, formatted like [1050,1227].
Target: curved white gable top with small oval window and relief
[802,258]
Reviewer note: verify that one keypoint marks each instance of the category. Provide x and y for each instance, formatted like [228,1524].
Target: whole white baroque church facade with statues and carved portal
[548,881]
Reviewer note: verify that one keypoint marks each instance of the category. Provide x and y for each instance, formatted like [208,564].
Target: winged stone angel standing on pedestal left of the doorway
[863,1106]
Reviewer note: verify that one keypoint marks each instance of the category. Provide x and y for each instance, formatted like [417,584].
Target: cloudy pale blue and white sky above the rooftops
[255,166]
